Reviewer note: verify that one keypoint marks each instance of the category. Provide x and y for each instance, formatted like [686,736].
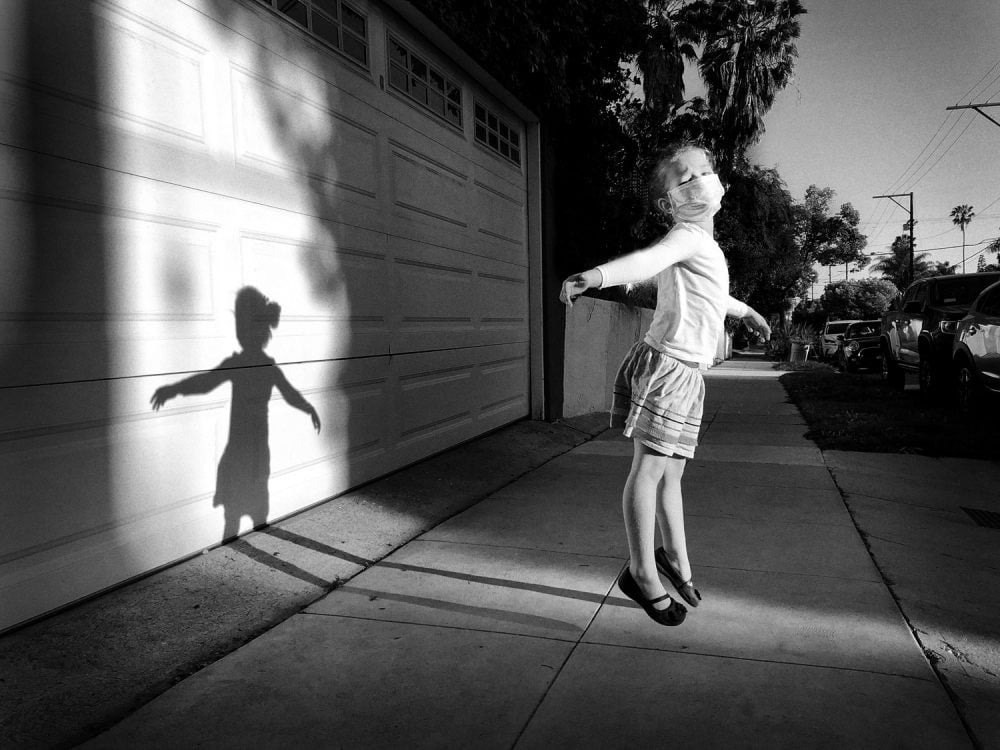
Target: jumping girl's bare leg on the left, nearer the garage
[639,507]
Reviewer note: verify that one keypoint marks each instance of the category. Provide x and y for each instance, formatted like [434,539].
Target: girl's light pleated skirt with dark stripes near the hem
[658,400]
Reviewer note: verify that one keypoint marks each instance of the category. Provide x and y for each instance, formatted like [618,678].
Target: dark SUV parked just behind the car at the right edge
[917,337]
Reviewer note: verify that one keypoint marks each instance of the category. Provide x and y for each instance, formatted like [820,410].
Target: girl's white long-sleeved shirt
[692,291]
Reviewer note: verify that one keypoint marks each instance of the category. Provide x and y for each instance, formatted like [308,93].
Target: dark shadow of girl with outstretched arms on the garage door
[241,482]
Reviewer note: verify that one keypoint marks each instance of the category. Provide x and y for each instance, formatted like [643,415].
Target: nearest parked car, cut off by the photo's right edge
[976,350]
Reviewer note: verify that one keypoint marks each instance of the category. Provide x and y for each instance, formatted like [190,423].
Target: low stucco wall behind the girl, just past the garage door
[598,335]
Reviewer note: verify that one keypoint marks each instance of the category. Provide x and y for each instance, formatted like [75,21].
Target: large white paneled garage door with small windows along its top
[162,158]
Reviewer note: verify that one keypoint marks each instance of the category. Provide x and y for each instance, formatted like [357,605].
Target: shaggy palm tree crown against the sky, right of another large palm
[747,58]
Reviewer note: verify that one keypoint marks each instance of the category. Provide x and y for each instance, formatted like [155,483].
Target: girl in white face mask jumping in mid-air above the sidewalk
[659,391]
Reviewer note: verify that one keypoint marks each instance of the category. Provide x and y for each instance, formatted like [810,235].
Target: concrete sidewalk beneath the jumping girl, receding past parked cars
[502,627]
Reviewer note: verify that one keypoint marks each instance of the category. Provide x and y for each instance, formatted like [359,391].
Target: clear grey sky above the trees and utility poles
[866,115]
